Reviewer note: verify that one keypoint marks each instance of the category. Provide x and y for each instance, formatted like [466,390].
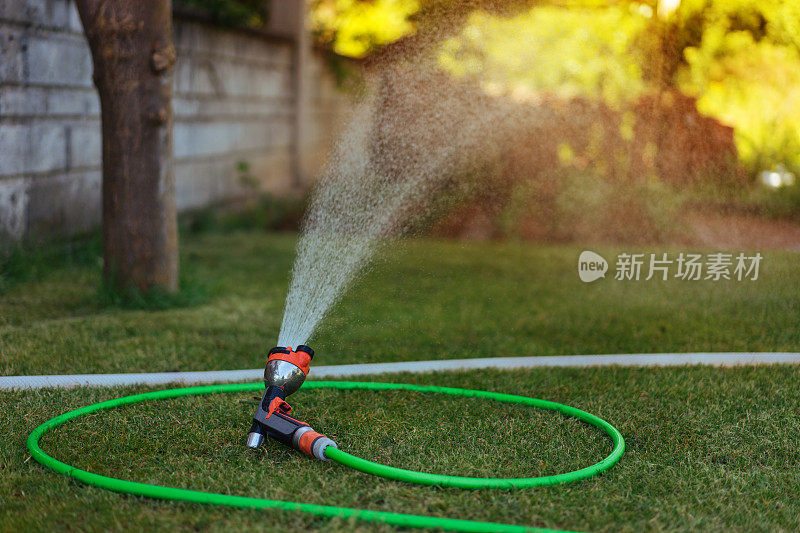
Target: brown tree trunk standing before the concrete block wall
[133,55]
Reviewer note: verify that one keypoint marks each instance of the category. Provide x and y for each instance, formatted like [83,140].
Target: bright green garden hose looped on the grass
[398,519]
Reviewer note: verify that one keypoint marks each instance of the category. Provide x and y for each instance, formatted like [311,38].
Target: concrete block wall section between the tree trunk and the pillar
[233,104]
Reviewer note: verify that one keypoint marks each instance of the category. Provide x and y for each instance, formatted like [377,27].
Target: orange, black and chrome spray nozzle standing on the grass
[286,370]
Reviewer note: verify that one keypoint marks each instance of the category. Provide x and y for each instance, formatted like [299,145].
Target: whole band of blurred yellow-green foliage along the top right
[739,58]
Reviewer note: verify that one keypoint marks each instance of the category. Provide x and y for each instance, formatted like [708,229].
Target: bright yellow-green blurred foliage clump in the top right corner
[742,61]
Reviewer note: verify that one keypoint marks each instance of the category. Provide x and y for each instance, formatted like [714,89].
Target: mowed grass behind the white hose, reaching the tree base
[423,299]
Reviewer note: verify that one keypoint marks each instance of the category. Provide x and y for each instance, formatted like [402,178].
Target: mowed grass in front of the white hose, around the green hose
[708,450]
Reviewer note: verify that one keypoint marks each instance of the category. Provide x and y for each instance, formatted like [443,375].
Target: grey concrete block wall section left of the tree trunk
[49,121]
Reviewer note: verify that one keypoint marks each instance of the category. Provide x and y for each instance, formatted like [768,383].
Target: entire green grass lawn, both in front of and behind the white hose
[708,449]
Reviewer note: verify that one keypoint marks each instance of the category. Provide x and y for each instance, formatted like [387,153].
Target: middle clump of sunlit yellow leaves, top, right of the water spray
[568,52]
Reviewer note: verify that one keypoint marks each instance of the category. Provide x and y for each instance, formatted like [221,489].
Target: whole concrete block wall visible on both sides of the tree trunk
[233,104]
